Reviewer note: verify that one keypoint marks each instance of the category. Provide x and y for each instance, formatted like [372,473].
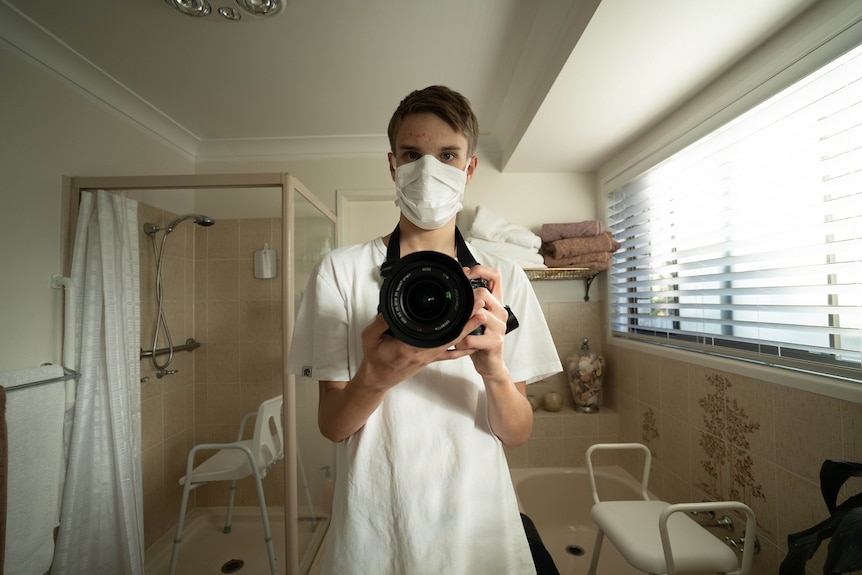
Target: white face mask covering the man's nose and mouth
[429,192]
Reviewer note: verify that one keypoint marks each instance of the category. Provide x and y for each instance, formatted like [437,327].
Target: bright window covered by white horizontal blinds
[748,243]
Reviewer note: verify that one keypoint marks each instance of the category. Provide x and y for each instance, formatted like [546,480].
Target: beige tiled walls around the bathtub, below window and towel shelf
[714,434]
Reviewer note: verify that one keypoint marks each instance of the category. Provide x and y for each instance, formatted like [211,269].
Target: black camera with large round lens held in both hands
[426,299]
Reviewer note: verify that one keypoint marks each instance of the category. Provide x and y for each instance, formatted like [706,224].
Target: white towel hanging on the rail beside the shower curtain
[34,420]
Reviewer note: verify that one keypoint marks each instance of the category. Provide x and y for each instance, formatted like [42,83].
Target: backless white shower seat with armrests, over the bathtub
[657,537]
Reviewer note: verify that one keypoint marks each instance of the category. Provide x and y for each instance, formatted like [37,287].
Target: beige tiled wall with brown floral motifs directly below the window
[718,435]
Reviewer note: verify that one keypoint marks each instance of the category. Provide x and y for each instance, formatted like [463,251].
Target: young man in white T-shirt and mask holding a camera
[422,483]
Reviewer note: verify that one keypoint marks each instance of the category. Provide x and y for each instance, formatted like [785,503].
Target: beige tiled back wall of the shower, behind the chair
[238,320]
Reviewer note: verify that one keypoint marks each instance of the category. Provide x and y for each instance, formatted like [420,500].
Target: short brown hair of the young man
[446,104]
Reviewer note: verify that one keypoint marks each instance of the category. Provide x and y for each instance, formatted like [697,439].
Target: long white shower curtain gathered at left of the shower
[101,521]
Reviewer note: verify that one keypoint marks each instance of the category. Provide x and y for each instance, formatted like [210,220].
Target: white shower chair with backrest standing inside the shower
[234,461]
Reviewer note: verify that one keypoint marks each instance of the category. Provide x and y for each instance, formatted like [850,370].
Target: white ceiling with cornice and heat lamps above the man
[557,85]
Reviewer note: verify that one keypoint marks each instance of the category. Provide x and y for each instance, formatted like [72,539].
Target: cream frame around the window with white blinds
[820,35]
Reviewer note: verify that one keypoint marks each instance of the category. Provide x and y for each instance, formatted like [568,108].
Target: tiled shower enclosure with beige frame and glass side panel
[240,327]
